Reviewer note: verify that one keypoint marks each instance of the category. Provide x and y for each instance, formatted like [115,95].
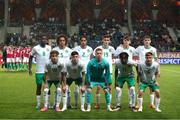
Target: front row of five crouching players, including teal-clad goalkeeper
[98,74]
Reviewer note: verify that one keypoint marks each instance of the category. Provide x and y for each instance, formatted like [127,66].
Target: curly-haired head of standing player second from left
[62,40]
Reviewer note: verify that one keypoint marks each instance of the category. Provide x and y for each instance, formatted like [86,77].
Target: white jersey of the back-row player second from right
[130,51]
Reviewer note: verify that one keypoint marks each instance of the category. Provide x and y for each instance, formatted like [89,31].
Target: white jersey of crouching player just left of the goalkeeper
[74,71]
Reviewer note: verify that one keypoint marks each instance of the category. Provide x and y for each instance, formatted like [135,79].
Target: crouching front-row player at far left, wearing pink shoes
[54,75]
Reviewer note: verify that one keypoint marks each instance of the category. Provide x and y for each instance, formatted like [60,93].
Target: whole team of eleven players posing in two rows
[88,68]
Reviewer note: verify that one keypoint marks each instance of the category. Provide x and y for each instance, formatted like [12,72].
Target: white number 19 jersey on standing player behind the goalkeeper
[107,54]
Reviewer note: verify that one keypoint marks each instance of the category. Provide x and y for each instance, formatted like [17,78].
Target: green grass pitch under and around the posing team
[17,99]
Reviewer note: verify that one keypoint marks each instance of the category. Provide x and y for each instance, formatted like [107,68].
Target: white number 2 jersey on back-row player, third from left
[84,53]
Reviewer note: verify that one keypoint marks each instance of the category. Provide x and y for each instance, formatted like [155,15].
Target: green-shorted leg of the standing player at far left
[39,80]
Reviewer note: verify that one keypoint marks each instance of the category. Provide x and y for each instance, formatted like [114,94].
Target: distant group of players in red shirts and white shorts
[16,57]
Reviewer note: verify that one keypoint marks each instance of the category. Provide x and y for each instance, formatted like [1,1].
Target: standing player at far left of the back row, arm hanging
[41,52]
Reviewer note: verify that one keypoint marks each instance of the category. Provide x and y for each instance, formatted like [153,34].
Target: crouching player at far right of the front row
[149,73]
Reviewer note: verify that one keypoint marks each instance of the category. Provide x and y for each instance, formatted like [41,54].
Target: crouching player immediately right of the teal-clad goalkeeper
[124,73]
